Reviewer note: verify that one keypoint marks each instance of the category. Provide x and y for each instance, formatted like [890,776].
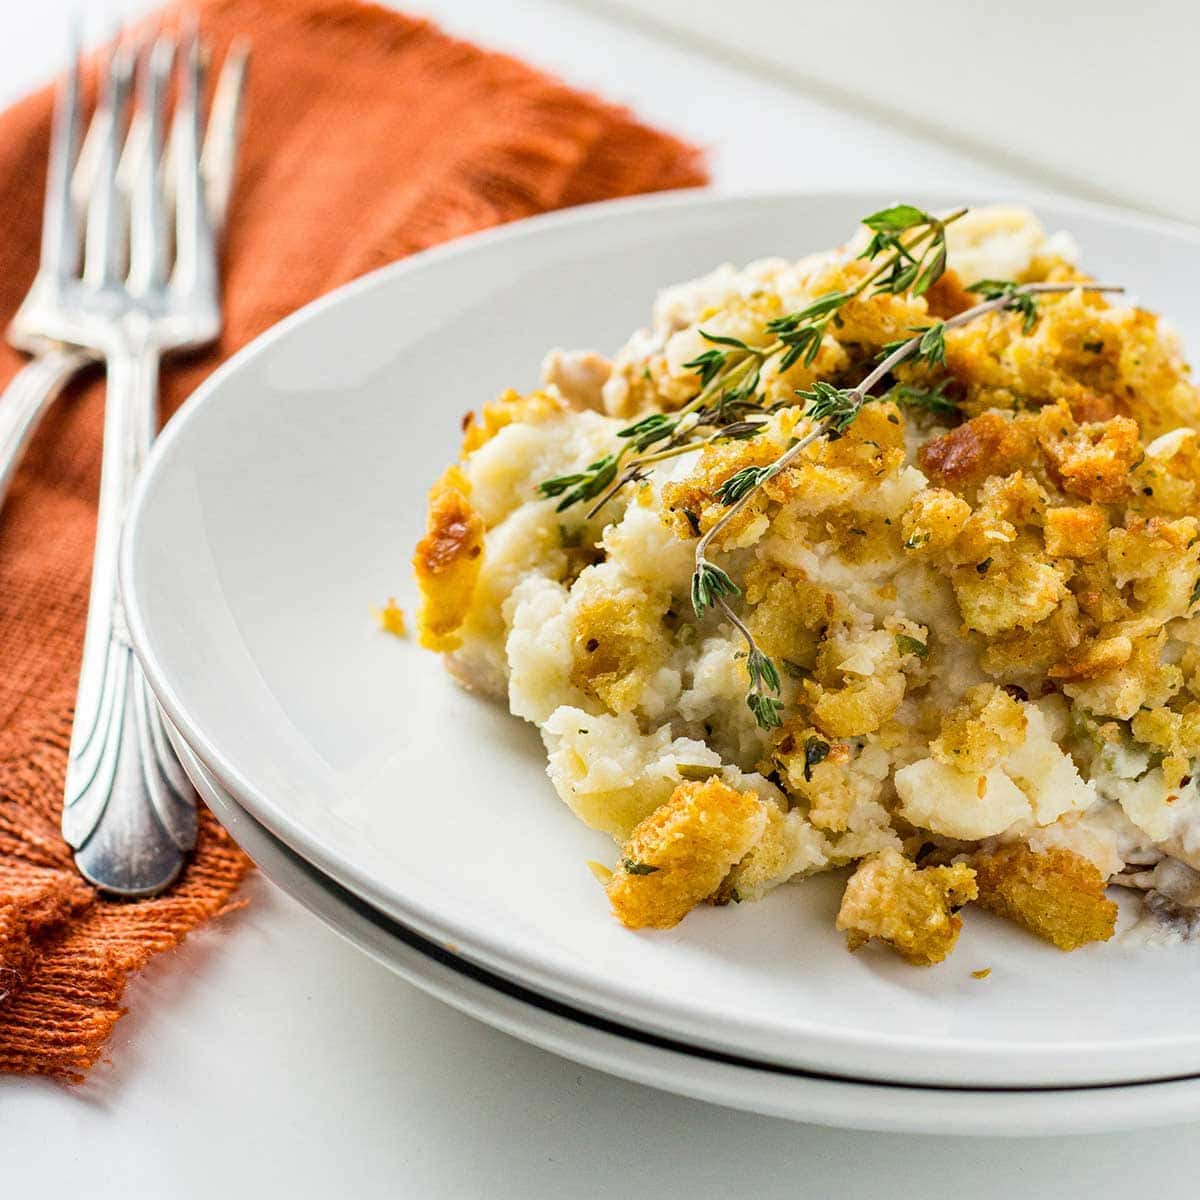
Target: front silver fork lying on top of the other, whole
[145,290]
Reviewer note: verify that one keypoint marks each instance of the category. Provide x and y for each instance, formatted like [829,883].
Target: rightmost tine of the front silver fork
[195,255]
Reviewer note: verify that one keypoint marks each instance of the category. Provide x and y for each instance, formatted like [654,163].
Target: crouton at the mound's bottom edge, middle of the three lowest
[914,910]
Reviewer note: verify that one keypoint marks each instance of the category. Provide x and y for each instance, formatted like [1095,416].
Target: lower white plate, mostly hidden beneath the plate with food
[625,1053]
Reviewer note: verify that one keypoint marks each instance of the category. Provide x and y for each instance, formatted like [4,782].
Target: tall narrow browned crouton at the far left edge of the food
[447,562]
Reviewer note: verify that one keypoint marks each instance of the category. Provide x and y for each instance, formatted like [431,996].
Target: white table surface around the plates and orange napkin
[268,1058]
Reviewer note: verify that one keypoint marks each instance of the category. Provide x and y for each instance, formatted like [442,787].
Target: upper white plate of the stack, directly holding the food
[286,499]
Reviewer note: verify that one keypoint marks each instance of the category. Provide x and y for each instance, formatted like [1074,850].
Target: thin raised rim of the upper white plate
[512,961]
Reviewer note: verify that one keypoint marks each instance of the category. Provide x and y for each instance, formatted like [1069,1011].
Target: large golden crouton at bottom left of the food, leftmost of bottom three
[680,855]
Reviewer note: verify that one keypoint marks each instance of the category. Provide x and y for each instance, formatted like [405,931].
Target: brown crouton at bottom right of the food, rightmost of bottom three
[1055,895]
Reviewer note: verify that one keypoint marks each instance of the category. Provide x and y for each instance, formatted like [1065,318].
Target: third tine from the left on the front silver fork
[148,221]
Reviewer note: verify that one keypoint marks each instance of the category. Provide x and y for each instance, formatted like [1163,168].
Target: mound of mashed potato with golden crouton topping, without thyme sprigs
[981,605]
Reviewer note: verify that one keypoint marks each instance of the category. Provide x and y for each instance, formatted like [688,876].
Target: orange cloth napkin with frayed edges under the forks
[369,136]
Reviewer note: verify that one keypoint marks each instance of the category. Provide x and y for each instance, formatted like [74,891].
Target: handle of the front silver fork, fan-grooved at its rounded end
[129,811]
